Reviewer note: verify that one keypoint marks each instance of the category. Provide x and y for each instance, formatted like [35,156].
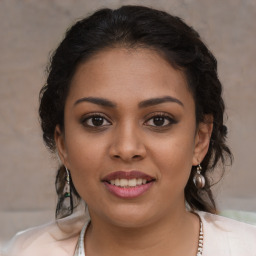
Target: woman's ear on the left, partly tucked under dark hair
[60,144]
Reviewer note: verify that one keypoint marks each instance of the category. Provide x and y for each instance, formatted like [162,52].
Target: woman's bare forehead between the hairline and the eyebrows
[134,74]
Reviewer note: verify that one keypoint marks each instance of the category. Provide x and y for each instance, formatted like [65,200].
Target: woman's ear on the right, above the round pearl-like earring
[202,139]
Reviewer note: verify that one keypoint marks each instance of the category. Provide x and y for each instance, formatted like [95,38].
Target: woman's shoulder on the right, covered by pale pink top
[227,236]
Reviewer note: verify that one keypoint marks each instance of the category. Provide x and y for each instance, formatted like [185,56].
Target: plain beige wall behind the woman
[30,29]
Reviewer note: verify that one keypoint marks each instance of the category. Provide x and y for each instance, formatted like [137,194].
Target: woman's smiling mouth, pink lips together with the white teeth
[128,184]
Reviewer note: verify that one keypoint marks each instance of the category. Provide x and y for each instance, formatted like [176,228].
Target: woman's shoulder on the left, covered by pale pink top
[50,239]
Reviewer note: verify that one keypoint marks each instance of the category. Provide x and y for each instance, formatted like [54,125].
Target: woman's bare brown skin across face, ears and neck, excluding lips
[128,139]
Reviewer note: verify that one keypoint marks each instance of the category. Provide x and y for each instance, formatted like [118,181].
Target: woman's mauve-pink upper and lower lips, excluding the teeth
[128,192]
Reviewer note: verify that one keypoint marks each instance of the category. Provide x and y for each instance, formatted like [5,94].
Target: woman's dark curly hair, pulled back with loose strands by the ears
[136,27]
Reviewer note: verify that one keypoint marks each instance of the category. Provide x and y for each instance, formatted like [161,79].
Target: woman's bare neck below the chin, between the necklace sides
[176,234]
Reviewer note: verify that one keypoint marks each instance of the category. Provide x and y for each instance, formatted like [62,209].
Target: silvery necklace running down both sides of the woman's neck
[80,245]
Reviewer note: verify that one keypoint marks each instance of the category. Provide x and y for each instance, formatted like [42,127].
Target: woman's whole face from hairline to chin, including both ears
[130,137]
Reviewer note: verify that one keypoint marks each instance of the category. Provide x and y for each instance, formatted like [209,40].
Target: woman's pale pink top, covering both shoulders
[222,237]
